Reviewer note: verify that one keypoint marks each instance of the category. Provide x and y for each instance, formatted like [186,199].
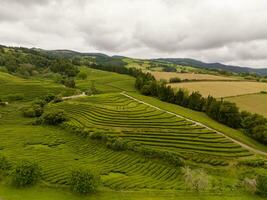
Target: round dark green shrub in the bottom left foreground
[26,173]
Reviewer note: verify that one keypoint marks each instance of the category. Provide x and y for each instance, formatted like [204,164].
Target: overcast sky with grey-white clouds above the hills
[227,31]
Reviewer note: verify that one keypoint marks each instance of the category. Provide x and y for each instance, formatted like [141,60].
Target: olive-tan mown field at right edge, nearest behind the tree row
[255,103]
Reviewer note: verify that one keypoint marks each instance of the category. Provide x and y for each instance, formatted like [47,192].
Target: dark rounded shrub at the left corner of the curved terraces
[53,117]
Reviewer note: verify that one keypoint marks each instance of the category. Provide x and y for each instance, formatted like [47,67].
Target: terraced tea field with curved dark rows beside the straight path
[123,117]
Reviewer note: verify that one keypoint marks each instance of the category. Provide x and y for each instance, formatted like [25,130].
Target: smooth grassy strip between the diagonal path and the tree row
[203,118]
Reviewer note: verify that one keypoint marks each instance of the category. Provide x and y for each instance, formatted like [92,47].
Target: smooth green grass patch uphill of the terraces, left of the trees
[105,81]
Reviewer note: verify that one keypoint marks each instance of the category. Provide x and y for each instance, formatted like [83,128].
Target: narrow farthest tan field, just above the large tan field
[189,76]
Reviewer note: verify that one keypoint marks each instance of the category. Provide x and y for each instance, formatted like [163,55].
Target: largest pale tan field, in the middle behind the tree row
[222,88]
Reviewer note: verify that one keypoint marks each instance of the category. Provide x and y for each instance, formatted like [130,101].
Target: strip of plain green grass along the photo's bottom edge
[44,193]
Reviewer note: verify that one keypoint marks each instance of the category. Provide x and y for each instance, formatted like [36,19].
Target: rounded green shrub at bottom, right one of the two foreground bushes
[83,181]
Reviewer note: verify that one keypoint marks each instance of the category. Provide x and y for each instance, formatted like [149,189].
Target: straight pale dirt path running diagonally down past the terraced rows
[200,124]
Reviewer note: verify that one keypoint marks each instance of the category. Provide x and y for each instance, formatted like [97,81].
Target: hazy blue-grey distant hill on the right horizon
[216,66]
